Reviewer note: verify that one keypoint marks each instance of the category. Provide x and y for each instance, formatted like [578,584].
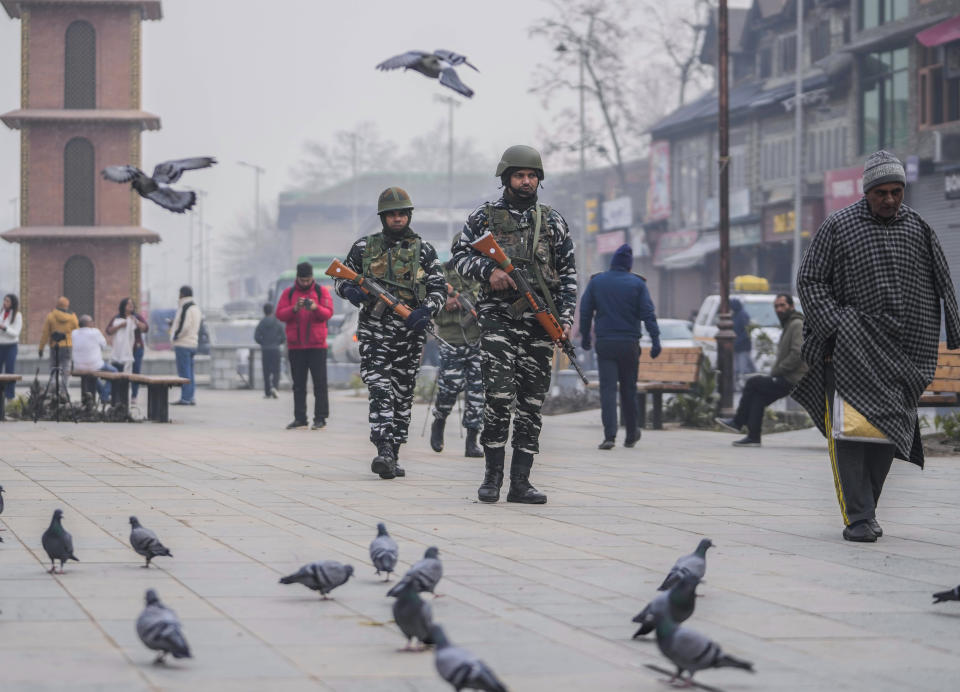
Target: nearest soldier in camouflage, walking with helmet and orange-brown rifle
[517,352]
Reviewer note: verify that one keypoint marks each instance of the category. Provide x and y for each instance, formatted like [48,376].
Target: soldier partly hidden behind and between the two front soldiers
[460,364]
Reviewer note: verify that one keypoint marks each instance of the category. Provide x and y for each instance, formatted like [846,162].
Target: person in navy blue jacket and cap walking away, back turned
[617,301]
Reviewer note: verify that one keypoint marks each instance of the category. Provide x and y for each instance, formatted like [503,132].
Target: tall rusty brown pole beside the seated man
[725,334]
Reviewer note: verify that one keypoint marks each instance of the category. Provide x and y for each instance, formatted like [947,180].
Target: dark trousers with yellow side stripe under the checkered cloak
[859,468]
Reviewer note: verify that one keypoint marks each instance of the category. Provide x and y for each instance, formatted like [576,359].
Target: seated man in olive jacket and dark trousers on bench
[762,390]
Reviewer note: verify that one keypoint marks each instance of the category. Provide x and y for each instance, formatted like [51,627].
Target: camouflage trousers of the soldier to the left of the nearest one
[389,361]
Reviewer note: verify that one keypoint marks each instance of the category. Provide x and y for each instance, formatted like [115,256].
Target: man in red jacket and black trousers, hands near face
[305,307]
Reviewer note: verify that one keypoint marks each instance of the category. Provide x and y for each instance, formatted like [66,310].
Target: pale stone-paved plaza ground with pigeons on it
[544,594]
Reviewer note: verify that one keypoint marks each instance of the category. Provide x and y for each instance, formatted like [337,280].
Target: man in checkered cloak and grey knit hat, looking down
[874,283]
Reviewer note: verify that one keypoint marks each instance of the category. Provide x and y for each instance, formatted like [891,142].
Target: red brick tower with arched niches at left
[79,235]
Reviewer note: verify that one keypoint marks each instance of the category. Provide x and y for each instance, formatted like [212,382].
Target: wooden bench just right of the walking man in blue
[675,371]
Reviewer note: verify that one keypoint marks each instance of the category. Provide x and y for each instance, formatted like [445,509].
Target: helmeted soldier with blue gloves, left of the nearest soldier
[390,347]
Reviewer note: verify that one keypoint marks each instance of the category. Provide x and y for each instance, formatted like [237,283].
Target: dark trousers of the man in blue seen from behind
[617,363]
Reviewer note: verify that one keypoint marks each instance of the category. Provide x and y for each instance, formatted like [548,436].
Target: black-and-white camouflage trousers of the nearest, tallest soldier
[516,366]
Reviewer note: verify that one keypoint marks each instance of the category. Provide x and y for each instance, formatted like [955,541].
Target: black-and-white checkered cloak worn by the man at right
[871,293]
